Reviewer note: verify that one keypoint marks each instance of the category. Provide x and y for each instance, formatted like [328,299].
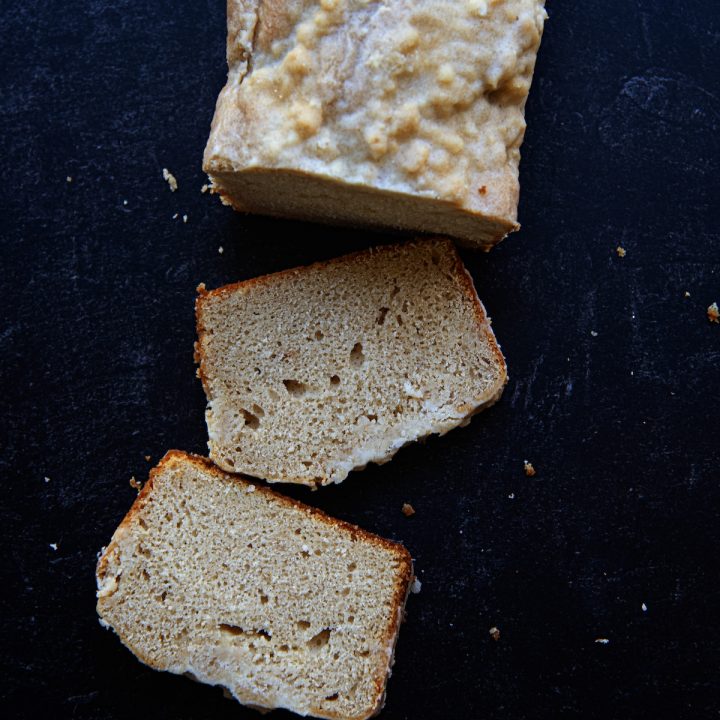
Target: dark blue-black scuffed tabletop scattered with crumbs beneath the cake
[97,332]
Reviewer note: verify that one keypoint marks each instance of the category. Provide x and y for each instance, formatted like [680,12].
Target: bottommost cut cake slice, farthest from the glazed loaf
[235,585]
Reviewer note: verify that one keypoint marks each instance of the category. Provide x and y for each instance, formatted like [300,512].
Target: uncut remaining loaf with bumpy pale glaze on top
[403,115]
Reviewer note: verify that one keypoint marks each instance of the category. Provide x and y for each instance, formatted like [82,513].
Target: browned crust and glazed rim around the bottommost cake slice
[108,573]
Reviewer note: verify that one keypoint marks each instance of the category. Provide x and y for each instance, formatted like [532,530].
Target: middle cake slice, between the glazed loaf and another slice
[313,372]
